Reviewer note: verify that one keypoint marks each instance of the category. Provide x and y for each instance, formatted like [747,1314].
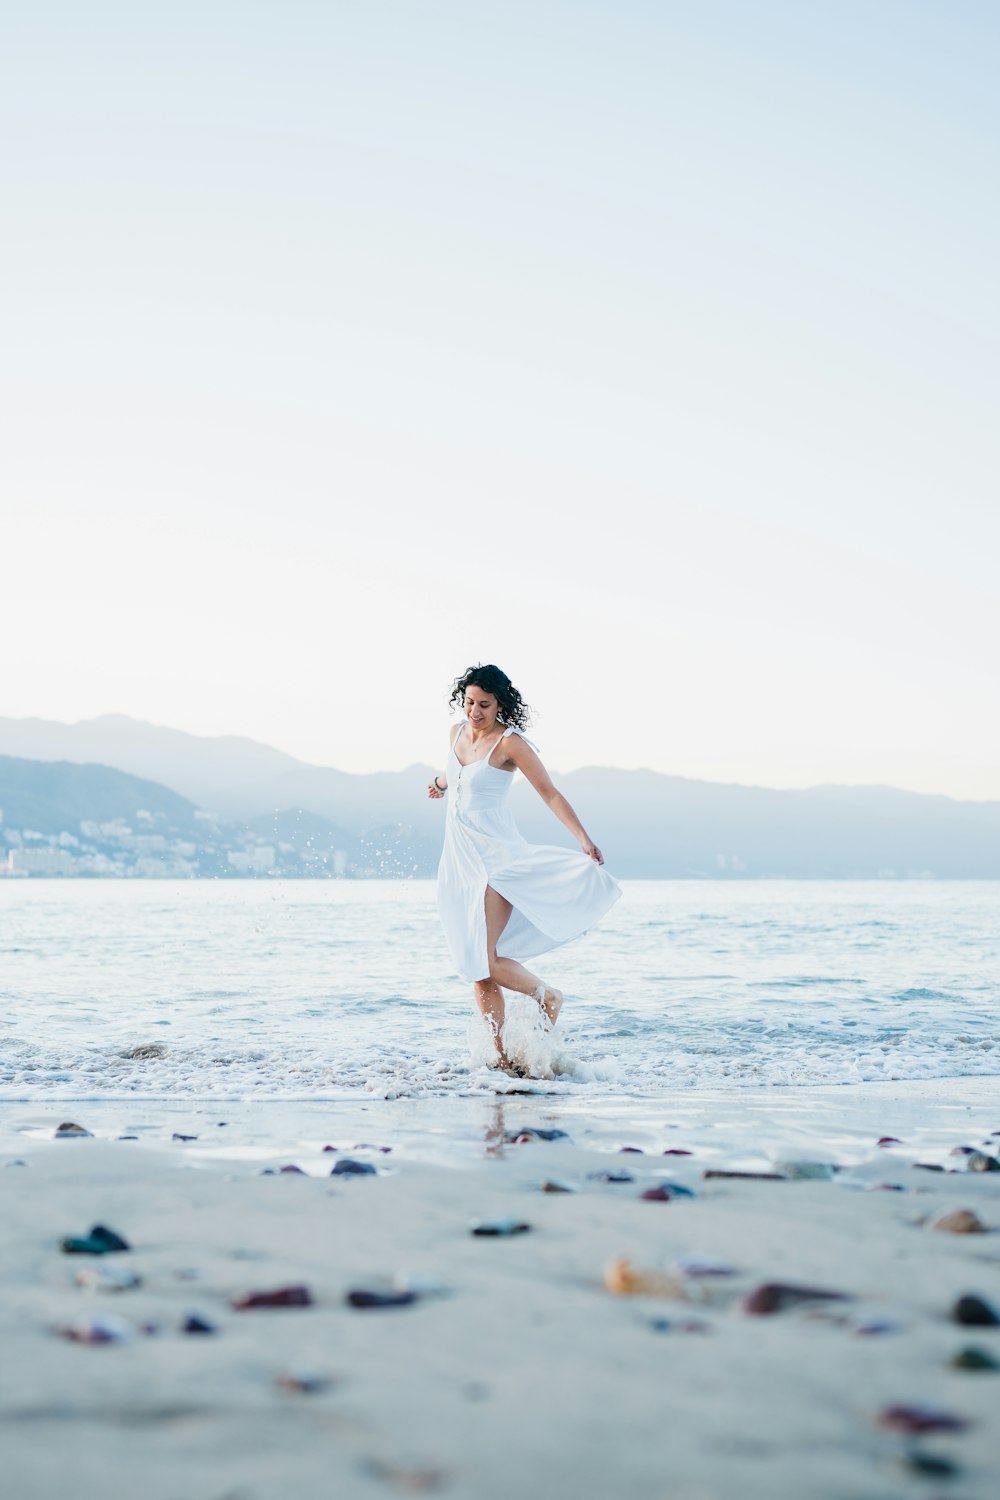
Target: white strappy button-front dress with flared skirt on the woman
[557,893]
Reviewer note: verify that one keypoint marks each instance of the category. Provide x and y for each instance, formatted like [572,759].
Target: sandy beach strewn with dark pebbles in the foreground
[513,1369]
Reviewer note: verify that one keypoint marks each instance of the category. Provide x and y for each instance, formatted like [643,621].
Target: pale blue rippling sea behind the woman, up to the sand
[337,991]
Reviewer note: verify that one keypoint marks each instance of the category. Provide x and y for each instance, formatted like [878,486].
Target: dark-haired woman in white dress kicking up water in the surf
[500,898]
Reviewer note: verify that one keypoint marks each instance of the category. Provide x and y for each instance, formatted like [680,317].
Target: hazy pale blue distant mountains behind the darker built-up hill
[648,824]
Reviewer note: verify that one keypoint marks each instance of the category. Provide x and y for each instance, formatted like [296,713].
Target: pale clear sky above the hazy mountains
[648,350]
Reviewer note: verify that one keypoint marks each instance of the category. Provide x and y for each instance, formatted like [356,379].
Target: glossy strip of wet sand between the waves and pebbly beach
[746,1123]
